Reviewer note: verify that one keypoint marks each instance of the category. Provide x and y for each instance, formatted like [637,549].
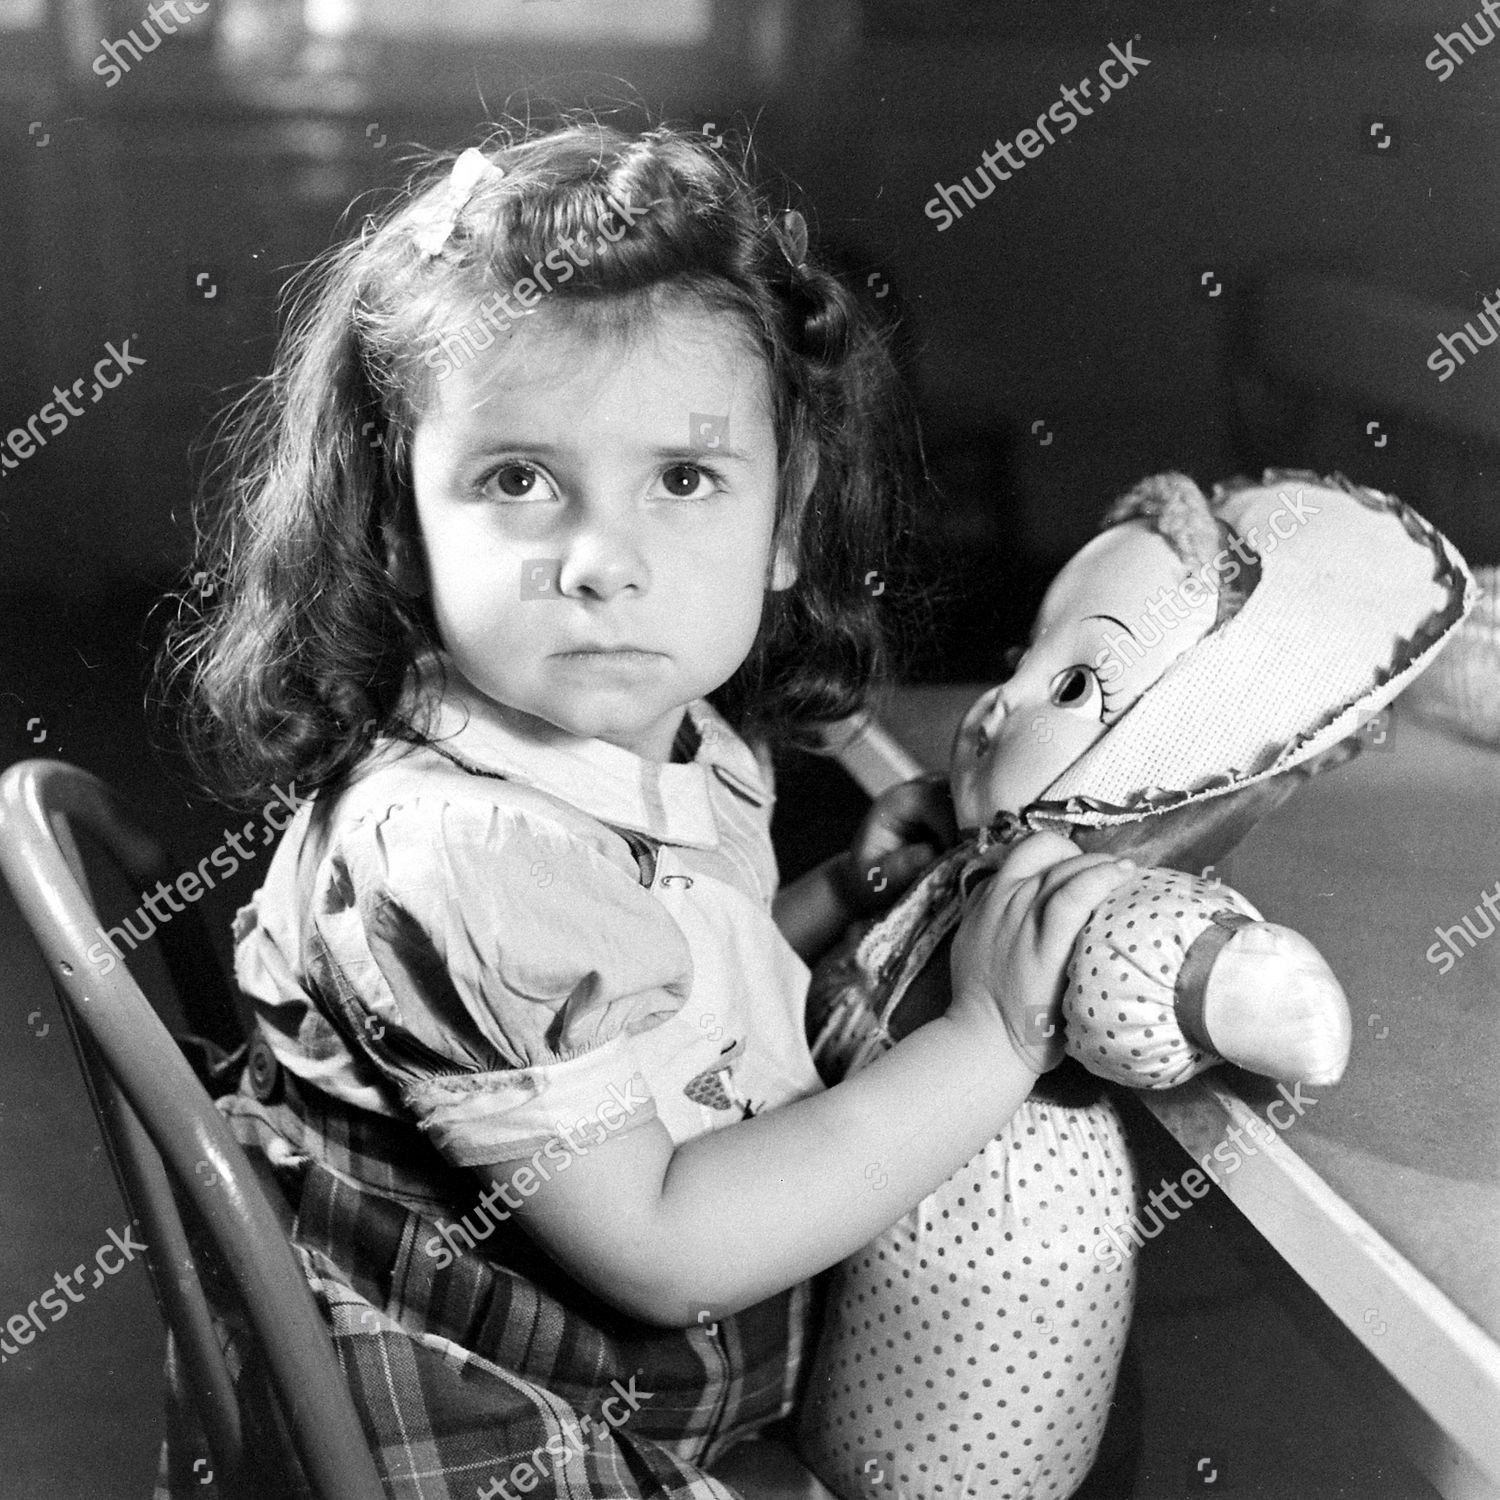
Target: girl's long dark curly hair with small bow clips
[295,658]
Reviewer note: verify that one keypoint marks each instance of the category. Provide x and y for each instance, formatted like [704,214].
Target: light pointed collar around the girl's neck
[668,802]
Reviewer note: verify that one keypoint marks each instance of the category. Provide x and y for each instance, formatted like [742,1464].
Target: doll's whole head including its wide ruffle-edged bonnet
[1202,646]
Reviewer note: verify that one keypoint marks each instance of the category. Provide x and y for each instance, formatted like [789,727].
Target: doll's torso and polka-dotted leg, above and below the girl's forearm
[973,1348]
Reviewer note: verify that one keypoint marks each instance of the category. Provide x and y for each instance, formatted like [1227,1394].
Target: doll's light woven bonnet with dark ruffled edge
[1355,596]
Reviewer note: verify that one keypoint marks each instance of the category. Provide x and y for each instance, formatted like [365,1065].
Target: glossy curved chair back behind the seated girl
[163,1130]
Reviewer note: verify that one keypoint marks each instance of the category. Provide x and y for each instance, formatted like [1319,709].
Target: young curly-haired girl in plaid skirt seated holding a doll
[557,514]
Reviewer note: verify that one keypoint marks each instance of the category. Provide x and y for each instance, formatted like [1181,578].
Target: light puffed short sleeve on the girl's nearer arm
[494,967]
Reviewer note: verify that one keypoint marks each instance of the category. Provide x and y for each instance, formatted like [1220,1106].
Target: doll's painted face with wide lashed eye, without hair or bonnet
[1115,619]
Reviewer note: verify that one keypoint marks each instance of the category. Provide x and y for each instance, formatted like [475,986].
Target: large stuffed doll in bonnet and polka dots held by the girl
[1190,667]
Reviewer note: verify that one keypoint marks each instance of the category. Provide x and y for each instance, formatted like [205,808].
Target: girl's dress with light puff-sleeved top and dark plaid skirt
[451,961]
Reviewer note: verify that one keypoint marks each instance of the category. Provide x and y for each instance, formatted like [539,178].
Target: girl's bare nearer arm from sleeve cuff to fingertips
[683,1235]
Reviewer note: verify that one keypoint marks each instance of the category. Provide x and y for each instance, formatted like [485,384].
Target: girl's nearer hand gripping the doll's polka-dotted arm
[1010,955]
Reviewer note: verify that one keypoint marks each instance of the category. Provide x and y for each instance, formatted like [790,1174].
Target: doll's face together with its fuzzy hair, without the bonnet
[1160,577]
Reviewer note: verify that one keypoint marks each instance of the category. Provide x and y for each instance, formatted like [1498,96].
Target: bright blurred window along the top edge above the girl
[353,56]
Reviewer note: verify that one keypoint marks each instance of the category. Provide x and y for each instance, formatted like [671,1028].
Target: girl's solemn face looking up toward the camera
[596,520]
